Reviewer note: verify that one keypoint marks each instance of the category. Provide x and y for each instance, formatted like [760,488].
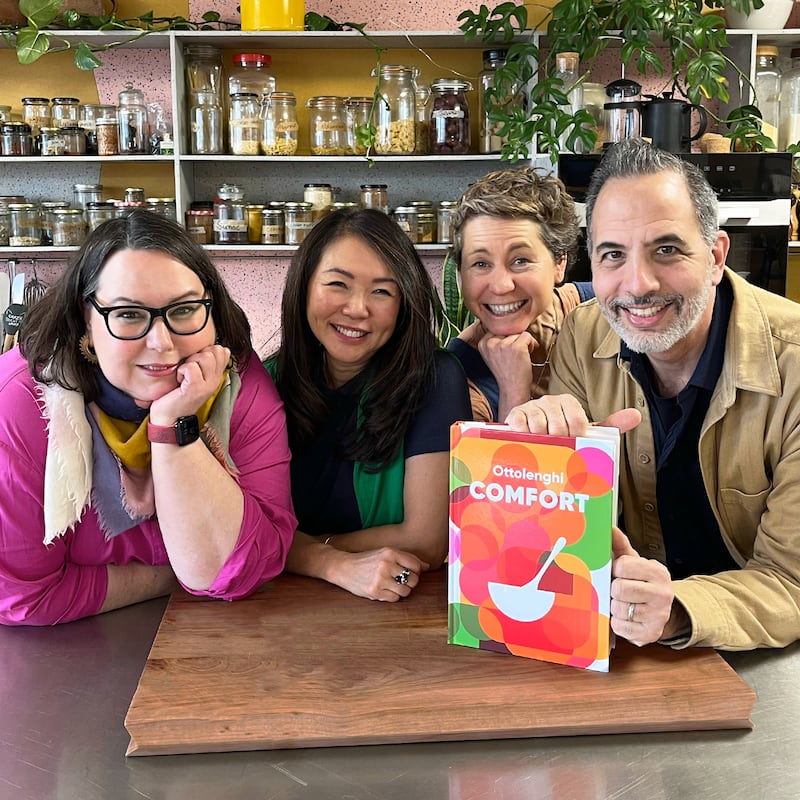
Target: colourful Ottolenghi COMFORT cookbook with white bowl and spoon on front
[529,568]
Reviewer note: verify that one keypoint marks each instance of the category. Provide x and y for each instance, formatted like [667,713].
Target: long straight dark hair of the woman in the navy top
[399,376]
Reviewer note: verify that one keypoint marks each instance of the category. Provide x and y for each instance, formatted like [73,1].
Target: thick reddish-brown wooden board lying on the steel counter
[305,664]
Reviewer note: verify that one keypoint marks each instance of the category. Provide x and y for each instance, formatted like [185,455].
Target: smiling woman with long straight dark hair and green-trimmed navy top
[369,403]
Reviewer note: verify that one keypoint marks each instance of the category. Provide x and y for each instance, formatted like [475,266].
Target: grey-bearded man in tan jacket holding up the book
[710,476]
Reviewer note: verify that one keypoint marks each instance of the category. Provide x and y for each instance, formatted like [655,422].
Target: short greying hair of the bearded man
[631,158]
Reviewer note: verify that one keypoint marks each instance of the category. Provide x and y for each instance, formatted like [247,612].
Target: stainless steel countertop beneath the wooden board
[64,692]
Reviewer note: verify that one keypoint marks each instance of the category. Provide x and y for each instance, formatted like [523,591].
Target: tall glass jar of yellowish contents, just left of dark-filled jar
[396,114]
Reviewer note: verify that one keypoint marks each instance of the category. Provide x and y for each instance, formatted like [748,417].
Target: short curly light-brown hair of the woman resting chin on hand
[521,192]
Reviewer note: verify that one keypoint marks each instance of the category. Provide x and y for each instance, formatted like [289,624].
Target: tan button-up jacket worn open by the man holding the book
[749,454]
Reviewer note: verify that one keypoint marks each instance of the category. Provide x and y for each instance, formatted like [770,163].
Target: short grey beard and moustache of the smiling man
[688,311]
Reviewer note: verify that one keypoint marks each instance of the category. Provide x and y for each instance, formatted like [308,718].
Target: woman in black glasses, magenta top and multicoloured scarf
[142,445]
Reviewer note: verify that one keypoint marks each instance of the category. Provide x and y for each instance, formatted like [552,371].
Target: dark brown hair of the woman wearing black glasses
[54,326]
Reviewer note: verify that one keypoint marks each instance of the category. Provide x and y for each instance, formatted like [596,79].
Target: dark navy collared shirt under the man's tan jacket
[691,534]
